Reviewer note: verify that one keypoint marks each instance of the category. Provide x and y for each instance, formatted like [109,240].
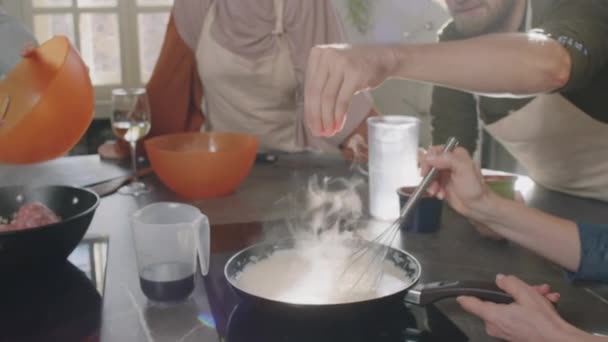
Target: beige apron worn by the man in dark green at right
[561,147]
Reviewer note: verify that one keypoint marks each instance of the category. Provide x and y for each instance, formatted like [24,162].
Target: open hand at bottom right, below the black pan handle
[530,318]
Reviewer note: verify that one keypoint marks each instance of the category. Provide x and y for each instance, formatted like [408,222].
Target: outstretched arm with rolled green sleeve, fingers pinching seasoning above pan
[564,53]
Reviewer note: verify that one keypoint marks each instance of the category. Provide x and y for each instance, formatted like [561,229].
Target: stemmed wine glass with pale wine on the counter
[131,122]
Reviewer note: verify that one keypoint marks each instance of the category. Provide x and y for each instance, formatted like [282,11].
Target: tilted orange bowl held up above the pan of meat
[51,104]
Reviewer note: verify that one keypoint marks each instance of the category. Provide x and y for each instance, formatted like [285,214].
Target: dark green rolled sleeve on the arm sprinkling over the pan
[581,26]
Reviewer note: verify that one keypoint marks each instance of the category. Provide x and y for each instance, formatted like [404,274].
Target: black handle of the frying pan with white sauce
[430,293]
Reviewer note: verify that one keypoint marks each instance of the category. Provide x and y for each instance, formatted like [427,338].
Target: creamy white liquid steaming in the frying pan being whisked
[315,275]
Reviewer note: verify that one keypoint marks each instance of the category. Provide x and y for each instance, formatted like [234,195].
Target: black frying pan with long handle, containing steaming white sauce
[412,292]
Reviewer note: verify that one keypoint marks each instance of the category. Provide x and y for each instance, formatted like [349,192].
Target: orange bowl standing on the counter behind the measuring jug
[202,165]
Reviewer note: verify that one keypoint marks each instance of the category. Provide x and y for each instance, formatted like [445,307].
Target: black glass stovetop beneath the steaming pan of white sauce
[238,321]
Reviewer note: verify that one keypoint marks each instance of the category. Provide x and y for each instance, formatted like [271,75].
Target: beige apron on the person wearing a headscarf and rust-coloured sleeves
[256,97]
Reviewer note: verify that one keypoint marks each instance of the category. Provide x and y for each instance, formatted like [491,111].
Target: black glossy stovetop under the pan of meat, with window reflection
[61,302]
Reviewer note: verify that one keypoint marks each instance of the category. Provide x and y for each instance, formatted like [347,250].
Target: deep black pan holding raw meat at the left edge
[40,246]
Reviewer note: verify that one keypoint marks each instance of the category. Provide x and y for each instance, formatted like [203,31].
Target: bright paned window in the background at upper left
[118,39]
